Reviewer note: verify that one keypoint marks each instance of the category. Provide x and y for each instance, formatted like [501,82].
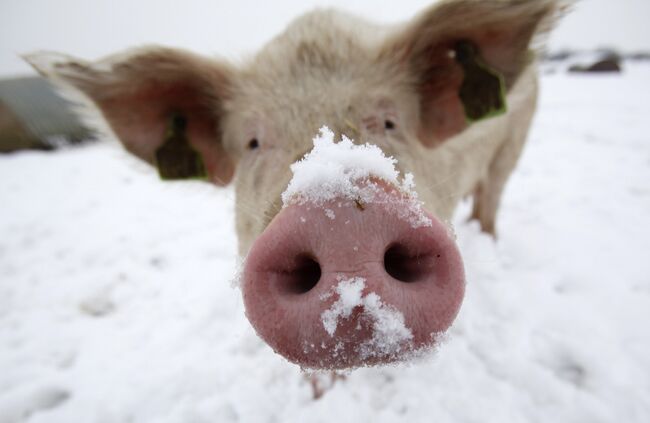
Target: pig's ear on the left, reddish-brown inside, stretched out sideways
[142,92]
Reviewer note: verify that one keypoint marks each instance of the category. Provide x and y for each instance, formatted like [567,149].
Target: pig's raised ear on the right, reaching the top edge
[464,56]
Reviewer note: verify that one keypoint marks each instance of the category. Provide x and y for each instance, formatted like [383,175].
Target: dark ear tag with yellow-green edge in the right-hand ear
[483,88]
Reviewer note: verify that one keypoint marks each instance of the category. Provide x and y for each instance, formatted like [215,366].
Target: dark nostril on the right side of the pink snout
[406,266]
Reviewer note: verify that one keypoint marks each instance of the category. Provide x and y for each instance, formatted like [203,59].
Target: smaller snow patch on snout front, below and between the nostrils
[389,332]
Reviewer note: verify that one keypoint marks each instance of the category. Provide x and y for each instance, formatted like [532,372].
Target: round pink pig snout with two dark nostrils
[347,284]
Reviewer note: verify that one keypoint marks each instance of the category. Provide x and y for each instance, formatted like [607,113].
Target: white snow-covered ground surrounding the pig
[116,302]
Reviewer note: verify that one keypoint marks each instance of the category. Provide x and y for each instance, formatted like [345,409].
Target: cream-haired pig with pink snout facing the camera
[449,94]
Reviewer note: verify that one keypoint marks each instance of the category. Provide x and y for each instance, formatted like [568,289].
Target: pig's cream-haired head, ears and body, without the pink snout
[394,87]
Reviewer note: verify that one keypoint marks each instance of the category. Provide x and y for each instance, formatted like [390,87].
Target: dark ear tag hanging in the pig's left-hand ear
[176,159]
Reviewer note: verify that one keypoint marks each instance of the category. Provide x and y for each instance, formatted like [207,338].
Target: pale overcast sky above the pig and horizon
[93,28]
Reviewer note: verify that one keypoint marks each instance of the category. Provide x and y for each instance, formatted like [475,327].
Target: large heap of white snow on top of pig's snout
[342,169]
